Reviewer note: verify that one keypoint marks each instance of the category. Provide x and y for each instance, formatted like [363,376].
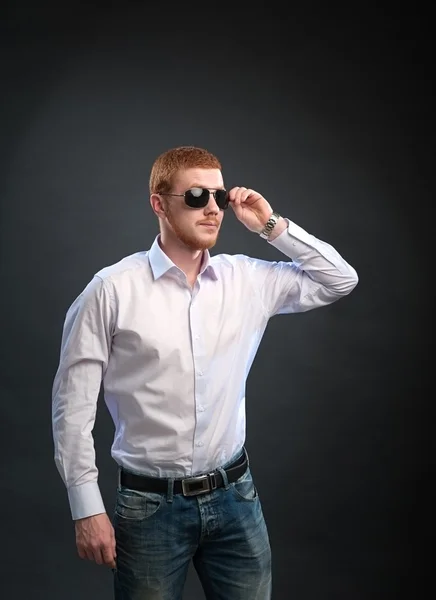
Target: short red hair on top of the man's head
[184,157]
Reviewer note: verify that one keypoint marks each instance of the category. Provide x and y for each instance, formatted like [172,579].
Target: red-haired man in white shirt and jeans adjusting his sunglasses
[172,333]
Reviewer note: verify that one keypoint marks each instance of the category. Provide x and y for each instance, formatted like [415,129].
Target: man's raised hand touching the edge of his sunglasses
[250,208]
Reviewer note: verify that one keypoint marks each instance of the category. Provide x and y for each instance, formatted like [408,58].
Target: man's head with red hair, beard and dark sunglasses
[174,173]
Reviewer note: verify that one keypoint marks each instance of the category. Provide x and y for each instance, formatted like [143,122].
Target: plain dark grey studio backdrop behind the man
[328,114]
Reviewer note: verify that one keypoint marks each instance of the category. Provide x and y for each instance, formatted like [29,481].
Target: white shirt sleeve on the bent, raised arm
[317,274]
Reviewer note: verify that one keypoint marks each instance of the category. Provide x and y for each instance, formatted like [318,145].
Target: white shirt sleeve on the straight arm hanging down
[84,356]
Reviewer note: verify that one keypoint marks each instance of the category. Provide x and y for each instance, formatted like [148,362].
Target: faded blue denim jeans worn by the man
[222,531]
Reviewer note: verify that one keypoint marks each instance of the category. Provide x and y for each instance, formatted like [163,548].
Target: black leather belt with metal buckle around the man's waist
[192,486]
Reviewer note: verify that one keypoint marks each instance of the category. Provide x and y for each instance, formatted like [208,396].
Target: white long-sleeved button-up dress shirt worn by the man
[174,359]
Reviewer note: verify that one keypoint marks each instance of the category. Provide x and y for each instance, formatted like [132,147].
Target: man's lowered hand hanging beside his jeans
[95,539]
